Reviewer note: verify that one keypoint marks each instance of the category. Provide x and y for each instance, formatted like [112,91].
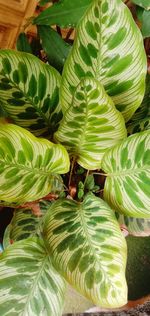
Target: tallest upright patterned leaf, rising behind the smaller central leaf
[109,47]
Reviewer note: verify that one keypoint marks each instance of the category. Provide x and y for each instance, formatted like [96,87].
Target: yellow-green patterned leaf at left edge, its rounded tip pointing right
[28,165]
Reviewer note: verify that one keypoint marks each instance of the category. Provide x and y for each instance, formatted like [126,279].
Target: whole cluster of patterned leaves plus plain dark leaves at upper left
[77,237]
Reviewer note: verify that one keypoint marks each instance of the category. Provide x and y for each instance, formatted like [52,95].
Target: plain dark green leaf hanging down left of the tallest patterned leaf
[55,47]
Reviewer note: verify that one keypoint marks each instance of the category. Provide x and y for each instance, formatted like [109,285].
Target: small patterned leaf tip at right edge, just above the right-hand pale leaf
[139,126]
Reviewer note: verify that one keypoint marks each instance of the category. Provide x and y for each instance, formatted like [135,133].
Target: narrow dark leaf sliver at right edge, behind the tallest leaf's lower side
[144,110]
